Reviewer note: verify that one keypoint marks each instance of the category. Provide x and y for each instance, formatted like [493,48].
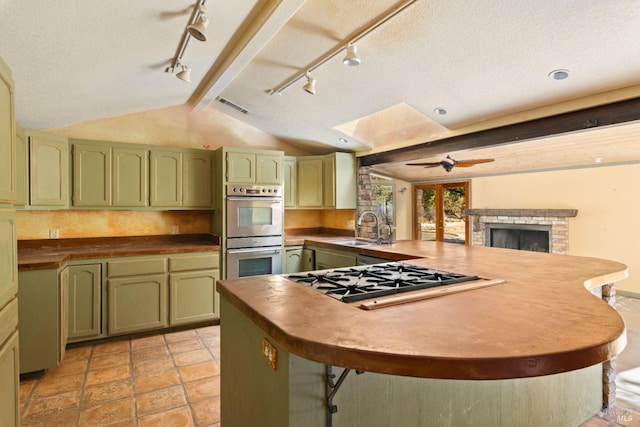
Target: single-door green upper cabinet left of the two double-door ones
[48,170]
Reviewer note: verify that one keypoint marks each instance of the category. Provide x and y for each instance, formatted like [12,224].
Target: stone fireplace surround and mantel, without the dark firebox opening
[557,219]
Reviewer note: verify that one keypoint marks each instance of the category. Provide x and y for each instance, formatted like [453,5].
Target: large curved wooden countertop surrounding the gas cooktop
[542,321]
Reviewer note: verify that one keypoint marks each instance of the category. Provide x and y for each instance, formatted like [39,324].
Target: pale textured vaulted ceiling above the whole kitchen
[486,63]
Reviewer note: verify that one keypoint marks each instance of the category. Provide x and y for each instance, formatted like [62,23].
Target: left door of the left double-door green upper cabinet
[92,175]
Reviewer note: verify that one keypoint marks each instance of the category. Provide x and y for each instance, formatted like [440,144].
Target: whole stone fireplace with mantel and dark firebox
[542,230]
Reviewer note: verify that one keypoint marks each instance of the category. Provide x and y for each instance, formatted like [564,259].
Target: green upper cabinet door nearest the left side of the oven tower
[197,180]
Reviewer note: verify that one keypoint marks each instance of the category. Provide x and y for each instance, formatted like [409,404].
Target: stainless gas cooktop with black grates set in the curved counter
[372,281]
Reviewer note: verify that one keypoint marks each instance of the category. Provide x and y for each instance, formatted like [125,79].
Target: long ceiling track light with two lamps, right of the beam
[351,58]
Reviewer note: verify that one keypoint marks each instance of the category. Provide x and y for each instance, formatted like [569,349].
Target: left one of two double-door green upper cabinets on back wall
[110,176]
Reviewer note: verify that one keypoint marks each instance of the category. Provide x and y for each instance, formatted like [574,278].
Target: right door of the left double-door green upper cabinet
[130,177]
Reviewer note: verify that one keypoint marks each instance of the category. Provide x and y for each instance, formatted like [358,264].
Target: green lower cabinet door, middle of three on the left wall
[137,304]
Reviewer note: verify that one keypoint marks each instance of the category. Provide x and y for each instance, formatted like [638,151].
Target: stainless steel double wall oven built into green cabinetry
[254,230]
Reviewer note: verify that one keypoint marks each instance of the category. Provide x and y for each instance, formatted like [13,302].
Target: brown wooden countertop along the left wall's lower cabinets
[54,253]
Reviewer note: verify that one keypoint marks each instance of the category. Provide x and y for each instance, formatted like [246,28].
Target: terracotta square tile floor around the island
[174,380]
